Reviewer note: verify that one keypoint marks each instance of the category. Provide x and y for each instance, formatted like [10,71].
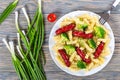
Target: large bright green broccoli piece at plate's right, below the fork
[99,32]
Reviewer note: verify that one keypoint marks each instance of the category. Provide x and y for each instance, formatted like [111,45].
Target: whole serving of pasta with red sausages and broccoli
[81,42]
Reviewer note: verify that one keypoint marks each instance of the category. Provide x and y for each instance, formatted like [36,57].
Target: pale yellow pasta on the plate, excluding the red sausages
[91,22]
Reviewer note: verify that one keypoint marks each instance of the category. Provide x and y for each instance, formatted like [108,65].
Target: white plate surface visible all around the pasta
[80,72]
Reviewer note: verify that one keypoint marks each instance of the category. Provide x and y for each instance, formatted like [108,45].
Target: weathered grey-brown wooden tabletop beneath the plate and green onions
[60,7]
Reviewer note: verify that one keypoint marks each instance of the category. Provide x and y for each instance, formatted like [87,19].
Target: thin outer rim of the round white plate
[53,58]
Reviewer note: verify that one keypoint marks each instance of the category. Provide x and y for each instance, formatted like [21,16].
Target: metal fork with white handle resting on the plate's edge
[105,16]
